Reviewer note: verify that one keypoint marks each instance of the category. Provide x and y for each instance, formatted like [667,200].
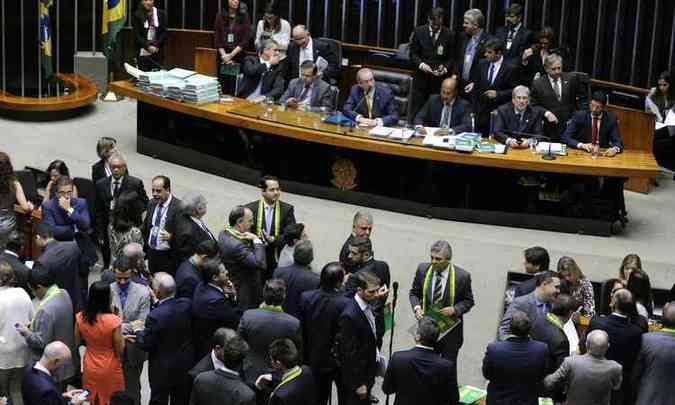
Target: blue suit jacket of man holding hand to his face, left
[64,224]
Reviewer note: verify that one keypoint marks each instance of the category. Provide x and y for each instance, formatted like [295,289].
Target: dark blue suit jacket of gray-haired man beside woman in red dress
[166,338]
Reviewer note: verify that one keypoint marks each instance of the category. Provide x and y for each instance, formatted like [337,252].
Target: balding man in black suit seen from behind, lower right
[625,338]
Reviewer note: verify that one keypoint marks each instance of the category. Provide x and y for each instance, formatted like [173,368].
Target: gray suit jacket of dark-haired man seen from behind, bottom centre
[260,327]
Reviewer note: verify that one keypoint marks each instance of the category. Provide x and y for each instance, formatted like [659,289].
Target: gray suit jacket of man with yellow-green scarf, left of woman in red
[55,321]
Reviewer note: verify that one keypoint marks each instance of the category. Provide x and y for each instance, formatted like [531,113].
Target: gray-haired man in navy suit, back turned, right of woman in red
[166,337]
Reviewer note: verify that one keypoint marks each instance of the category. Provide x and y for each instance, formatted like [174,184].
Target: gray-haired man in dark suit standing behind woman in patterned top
[108,191]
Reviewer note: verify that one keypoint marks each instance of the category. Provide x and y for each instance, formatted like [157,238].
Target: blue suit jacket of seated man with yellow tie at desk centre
[384,104]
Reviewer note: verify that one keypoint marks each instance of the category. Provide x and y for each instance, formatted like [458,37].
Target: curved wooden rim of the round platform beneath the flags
[85,93]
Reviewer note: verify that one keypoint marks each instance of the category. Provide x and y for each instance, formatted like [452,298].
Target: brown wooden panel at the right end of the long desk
[637,130]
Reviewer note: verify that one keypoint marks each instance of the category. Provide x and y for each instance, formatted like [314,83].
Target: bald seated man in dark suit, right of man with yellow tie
[446,110]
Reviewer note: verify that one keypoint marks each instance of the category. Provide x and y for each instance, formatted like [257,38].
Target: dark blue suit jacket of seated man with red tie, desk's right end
[579,130]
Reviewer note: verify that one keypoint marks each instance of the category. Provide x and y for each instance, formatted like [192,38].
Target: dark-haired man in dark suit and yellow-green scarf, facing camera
[271,216]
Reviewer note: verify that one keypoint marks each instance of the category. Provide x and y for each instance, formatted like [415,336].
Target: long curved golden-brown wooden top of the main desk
[307,126]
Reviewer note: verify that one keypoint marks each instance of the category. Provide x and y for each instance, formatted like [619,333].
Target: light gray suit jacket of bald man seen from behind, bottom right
[589,380]
